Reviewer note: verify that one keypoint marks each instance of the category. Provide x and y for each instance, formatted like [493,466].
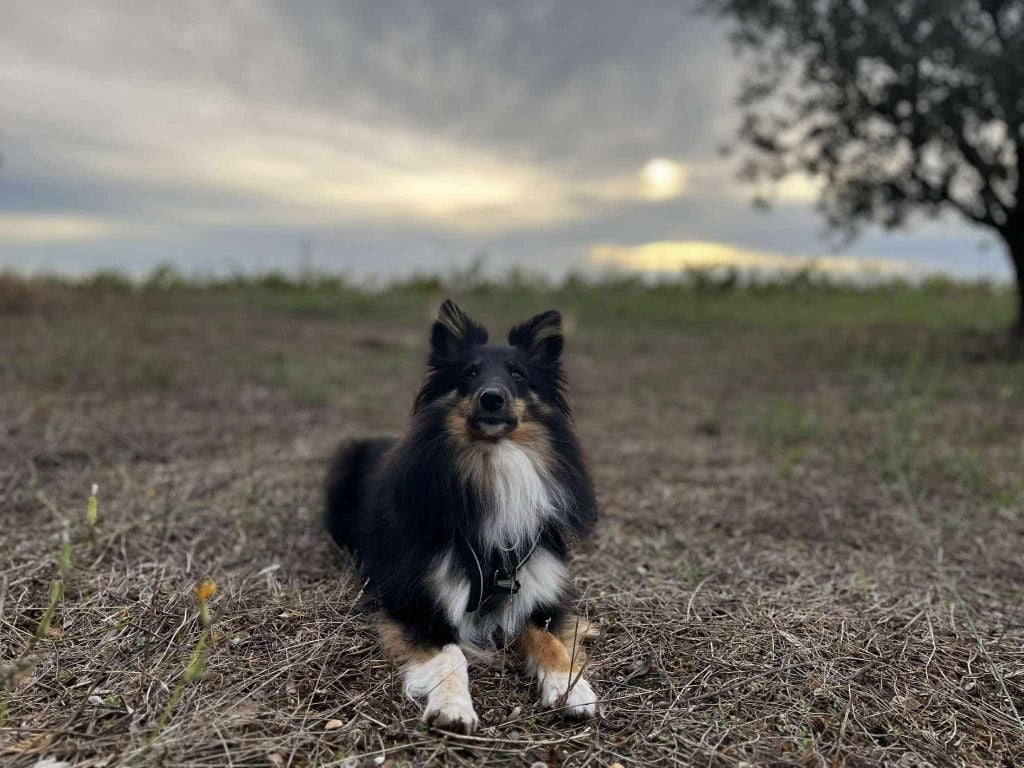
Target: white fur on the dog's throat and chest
[519,498]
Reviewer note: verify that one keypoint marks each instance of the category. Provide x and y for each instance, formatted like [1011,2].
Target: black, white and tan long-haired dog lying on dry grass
[462,527]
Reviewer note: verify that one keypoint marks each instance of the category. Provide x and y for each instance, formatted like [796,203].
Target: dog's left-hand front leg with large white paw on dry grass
[439,674]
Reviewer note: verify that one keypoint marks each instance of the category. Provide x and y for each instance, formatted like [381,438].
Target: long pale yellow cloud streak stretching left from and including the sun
[300,167]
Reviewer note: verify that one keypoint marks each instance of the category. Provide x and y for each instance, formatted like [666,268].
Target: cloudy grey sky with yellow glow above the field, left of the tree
[386,138]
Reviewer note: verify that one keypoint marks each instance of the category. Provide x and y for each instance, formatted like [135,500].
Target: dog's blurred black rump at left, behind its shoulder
[348,488]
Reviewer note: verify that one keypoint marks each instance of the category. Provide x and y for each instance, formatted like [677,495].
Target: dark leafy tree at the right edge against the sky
[899,107]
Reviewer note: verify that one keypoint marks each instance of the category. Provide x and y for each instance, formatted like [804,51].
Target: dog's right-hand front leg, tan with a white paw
[559,668]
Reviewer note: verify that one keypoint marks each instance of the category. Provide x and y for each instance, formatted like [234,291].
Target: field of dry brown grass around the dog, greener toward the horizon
[812,550]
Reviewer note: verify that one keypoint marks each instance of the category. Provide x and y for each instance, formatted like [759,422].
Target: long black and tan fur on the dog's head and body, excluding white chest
[401,504]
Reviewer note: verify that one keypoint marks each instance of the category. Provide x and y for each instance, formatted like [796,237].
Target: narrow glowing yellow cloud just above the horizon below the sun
[676,257]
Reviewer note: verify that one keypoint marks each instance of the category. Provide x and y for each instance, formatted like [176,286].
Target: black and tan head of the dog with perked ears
[495,392]
